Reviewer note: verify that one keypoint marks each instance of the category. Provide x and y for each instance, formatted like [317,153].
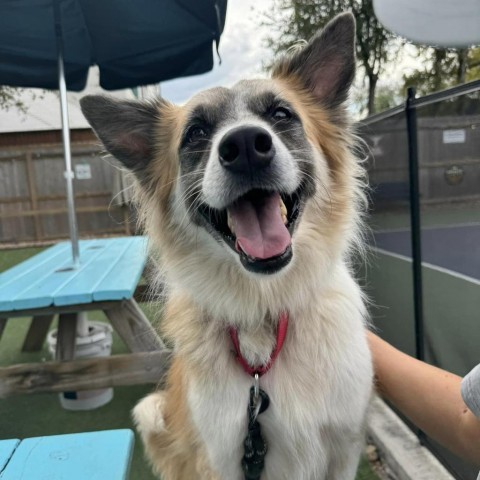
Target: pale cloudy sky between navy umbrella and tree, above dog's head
[241,48]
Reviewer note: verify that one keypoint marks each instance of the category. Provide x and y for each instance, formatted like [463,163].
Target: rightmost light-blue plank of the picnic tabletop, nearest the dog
[124,274]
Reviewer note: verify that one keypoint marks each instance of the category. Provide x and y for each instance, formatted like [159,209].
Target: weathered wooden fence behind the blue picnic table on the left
[33,205]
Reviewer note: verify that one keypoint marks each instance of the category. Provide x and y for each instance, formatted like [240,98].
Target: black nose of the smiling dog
[246,149]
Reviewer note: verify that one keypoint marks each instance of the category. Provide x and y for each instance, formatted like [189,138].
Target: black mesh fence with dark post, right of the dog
[424,272]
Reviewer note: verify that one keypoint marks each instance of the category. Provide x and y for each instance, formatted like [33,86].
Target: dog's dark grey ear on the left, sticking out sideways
[125,127]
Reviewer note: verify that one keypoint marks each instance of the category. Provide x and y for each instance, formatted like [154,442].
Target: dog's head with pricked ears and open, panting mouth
[241,167]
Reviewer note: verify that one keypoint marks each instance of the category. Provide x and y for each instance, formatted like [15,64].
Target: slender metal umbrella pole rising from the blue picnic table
[69,175]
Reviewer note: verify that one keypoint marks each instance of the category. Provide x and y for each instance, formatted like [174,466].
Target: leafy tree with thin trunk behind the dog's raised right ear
[294,20]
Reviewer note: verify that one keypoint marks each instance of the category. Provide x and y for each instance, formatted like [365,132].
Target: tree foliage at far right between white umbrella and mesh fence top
[444,68]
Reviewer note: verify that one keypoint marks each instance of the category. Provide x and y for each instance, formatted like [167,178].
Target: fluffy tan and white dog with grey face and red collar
[252,198]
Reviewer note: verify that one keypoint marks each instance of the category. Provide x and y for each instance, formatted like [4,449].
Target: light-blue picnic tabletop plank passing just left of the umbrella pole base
[42,292]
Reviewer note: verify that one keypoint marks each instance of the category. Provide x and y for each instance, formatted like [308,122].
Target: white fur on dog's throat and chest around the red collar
[319,386]
